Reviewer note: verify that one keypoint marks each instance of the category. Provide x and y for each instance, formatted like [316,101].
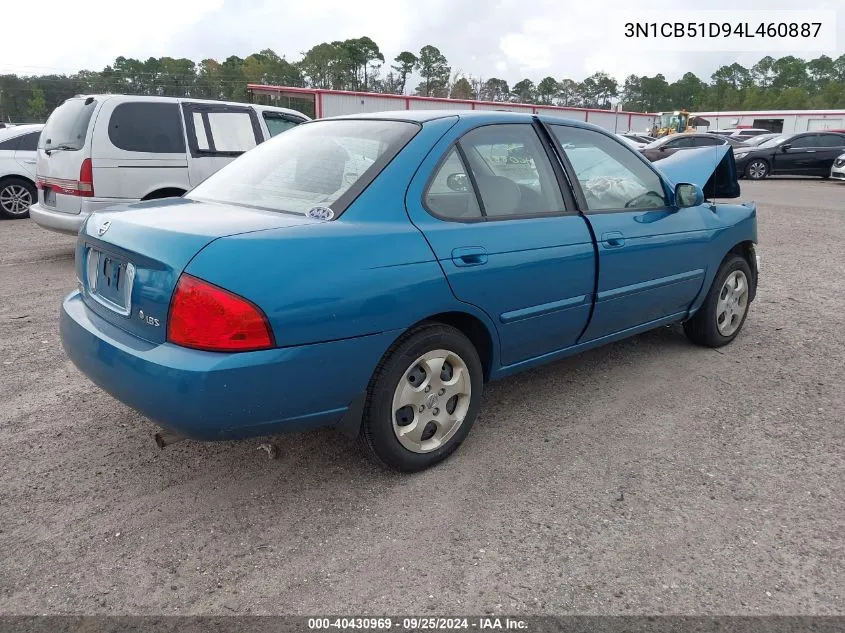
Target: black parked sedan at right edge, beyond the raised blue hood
[804,154]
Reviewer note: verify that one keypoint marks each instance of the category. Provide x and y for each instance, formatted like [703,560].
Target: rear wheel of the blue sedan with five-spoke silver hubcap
[406,438]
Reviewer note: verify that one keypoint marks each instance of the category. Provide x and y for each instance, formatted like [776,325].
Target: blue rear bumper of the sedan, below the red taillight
[214,396]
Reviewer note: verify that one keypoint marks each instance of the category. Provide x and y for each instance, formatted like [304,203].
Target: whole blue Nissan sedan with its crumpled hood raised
[372,273]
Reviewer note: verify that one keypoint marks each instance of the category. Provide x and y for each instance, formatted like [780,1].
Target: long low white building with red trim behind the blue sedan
[327,103]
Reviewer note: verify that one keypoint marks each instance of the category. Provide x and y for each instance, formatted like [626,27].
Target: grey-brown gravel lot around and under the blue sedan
[649,476]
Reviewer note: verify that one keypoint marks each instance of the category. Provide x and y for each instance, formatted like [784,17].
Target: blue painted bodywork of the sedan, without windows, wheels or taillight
[338,293]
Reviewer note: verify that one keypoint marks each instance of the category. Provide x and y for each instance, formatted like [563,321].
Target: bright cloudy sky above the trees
[511,39]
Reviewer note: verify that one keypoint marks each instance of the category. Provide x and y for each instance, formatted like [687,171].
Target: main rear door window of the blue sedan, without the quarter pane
[512,171]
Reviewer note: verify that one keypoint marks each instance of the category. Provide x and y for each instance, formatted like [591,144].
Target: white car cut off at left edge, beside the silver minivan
[17,169]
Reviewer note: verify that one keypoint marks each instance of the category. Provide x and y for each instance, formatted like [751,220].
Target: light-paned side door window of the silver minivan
[221,130]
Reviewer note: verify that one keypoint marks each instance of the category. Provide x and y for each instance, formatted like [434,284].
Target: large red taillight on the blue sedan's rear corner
[203,316]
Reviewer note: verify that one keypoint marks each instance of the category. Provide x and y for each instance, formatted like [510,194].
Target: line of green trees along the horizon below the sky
[359,64]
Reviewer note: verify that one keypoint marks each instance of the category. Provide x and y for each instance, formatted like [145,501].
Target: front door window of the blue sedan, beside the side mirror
[612,176]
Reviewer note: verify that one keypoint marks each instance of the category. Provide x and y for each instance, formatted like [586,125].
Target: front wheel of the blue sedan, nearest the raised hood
[708,327]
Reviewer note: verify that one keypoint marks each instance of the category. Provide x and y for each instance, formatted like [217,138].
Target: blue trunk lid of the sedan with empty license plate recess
[128,262]
